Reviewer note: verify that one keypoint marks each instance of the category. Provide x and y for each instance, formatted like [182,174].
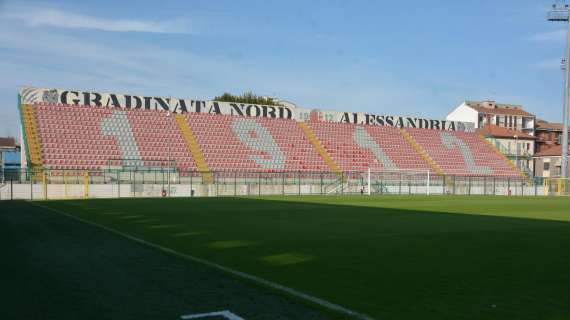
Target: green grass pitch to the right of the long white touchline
[391,257]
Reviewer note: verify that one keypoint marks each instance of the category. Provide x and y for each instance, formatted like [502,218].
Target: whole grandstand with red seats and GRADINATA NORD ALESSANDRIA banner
[111,138]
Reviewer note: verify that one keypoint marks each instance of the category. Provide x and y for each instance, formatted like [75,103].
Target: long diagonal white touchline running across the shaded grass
[298,294]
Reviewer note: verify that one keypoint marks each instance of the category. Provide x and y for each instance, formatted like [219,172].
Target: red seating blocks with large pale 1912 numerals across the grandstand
[91,138]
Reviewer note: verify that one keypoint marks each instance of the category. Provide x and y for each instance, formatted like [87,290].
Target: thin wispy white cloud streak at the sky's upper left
[37,17]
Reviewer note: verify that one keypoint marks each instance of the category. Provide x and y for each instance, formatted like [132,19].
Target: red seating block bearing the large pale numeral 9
[232,143]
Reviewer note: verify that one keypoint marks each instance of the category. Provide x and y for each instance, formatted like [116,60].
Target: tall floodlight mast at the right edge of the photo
[562,13]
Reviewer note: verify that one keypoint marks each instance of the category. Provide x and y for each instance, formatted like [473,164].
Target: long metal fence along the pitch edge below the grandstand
[164,182]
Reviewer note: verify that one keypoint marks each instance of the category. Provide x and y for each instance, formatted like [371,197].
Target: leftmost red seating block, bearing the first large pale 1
[87,138]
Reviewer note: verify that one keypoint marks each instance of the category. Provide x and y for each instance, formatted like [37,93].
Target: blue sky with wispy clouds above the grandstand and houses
[387,57]
